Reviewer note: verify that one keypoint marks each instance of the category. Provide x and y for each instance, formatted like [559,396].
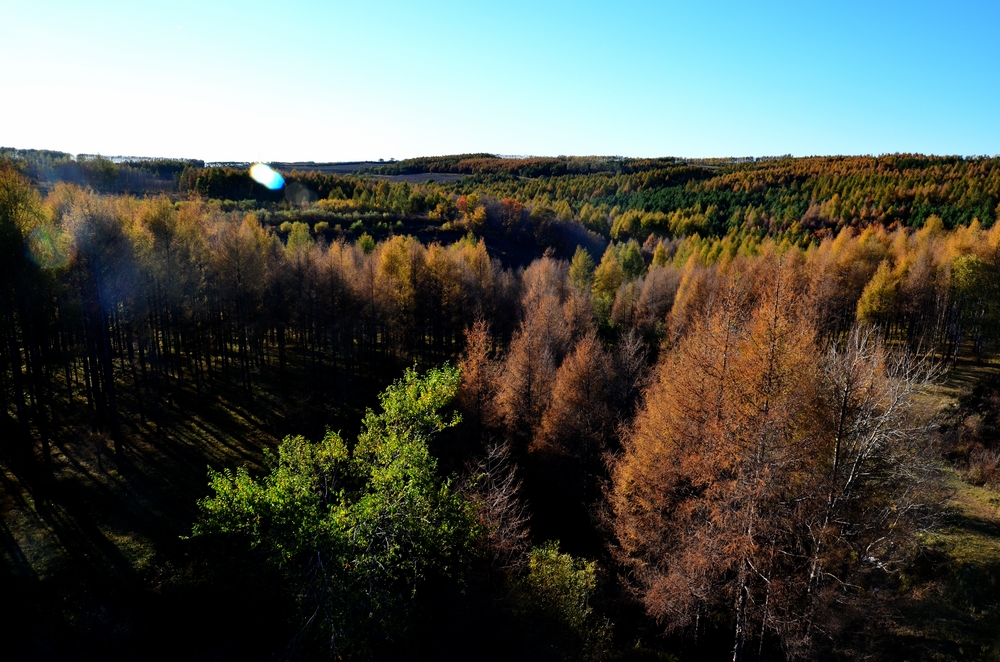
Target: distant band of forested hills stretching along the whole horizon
[615,197]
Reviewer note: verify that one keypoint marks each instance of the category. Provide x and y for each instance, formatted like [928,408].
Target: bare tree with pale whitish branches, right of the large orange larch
[877,485]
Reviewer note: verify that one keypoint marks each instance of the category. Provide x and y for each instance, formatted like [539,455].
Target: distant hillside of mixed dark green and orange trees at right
[812,195]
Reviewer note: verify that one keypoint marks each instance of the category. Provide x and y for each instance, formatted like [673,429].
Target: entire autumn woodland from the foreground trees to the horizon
[563,408]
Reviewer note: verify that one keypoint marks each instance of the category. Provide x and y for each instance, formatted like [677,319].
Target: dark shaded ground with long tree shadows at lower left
[95,559]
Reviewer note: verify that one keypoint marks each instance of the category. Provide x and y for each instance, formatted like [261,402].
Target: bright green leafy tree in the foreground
[356,530]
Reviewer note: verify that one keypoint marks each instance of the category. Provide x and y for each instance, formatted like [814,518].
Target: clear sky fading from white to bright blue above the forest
[328,81]
